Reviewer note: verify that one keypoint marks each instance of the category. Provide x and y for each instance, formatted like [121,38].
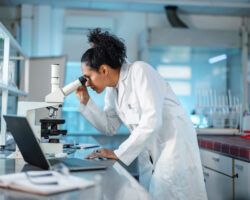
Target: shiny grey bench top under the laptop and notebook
[114,182]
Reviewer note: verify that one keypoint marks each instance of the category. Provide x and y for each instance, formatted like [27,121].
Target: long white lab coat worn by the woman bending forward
[162,135]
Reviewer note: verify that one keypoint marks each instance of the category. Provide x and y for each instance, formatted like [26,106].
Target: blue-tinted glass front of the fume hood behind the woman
[191,70]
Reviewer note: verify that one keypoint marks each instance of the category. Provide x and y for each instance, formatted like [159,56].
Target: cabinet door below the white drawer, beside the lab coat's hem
[218,186]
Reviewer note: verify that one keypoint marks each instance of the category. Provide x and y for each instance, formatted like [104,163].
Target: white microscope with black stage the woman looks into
[48,133]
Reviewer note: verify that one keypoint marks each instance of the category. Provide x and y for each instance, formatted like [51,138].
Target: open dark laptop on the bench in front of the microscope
[32,152]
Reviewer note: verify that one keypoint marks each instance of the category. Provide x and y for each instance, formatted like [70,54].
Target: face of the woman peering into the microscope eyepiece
[95,79]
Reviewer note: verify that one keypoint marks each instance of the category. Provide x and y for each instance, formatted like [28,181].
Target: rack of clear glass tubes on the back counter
[218,113]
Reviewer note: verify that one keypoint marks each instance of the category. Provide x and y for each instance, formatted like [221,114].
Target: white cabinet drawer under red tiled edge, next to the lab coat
[217,162]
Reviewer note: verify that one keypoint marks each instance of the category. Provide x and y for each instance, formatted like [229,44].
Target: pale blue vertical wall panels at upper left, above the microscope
[41,30]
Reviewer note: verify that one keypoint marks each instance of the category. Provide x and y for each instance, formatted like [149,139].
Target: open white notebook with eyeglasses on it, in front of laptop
[43,182]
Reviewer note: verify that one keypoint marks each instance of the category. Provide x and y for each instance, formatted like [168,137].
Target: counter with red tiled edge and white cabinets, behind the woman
[226,166]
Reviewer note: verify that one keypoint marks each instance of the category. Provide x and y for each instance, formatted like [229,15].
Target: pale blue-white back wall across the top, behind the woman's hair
[43,33]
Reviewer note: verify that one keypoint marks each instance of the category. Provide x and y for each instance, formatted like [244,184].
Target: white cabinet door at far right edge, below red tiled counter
[242,181]
